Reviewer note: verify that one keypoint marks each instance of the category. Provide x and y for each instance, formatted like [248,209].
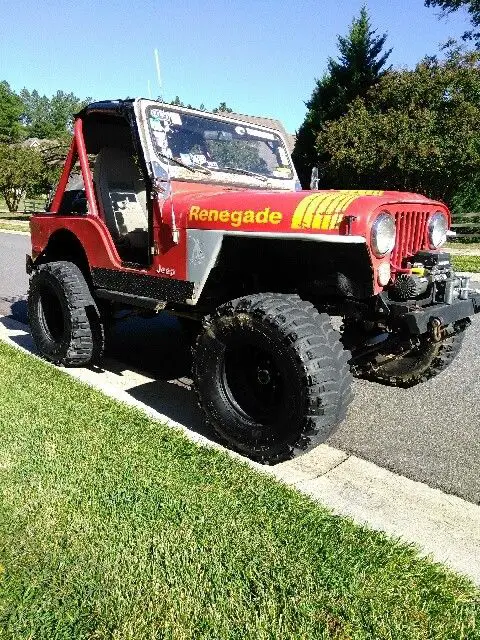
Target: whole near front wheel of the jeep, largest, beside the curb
[271,375]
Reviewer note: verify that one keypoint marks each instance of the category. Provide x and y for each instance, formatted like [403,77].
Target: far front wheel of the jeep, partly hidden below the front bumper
[416,364]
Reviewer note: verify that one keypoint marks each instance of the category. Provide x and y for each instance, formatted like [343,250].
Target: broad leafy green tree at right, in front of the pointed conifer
[416,130]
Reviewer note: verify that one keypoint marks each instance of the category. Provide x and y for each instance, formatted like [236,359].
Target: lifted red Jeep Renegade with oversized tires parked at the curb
[161,208]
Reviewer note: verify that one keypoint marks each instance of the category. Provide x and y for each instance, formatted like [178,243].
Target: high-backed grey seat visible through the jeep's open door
[122,199]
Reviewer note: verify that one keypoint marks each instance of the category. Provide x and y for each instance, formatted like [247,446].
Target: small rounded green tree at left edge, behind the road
[22,173]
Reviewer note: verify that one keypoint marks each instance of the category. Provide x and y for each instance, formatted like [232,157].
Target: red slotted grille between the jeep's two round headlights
[411,235]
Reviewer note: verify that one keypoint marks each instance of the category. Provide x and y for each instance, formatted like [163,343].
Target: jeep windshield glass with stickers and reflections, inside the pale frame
[209,146]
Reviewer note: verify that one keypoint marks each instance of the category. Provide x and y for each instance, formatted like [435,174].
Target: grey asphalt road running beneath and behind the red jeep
[429,433]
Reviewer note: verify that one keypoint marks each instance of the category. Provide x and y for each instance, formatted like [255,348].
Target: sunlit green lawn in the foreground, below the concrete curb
[114,526]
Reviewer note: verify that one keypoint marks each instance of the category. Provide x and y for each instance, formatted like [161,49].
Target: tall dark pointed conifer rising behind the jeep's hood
[360,65]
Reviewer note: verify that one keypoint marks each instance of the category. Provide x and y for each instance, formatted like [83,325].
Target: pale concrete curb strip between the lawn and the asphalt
[443,526]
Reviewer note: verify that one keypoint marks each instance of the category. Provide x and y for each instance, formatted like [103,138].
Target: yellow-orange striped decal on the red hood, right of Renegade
[321,211]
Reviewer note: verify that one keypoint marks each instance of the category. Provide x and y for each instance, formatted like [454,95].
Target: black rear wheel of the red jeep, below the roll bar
[64,319]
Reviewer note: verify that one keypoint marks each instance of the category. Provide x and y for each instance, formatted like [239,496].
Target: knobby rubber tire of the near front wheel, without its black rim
[327,376]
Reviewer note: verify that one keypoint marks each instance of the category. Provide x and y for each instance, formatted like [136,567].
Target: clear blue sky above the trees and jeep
[261,57]
